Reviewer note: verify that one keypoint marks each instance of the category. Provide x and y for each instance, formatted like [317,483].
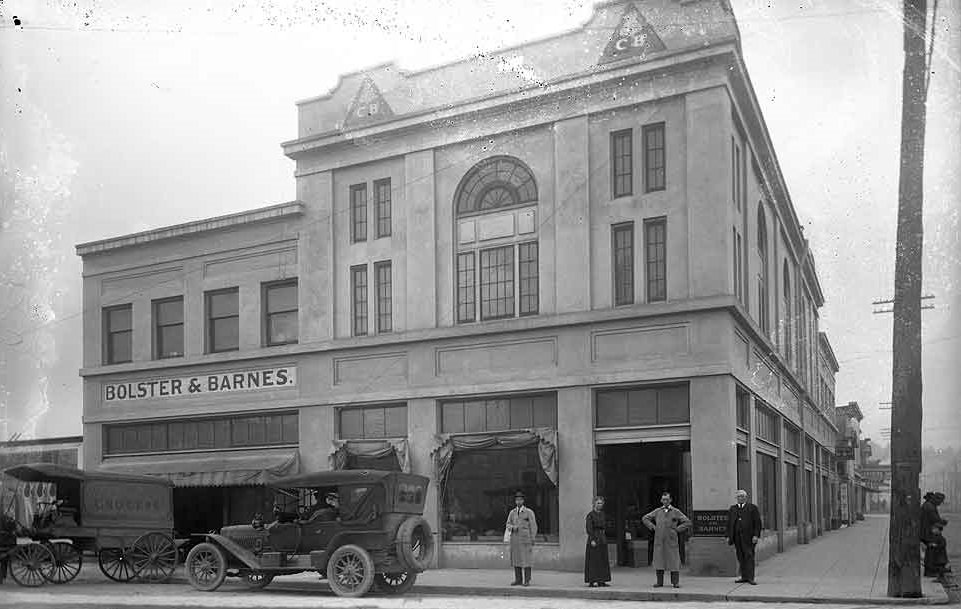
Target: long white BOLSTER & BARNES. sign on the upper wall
[221,382]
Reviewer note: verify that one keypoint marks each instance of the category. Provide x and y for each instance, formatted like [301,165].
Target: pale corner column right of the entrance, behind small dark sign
[713,468]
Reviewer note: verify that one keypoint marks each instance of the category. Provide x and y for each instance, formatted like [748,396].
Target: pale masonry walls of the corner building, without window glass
[737,315]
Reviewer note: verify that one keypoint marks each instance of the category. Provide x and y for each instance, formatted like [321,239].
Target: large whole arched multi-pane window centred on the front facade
[499,278]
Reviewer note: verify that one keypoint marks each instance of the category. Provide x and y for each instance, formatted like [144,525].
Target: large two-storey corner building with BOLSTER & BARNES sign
[571,267]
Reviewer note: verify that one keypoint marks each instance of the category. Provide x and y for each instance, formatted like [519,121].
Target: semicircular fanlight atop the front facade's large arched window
[495,183]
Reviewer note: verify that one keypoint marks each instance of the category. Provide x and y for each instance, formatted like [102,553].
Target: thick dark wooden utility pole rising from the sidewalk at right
[904,560]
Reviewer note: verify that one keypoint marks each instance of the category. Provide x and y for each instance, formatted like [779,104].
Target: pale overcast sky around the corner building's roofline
[120,116]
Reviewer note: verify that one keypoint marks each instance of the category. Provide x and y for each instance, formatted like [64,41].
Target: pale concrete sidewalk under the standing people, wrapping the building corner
[847,566]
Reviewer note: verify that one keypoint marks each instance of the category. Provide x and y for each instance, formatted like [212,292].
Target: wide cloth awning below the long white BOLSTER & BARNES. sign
[232,470]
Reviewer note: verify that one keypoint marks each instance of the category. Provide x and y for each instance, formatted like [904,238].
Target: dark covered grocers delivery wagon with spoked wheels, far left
[126,520]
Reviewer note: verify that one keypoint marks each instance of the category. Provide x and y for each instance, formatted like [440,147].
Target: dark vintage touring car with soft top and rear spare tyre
[375,537]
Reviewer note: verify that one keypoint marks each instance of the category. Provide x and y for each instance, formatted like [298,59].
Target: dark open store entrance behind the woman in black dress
[631,478]
